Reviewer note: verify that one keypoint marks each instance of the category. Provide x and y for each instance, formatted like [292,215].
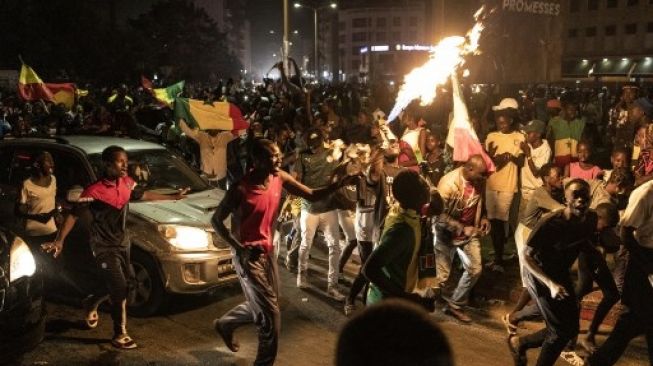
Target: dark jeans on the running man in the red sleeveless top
[259,280]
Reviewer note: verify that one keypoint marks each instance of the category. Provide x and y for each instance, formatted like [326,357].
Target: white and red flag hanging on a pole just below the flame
[462,137]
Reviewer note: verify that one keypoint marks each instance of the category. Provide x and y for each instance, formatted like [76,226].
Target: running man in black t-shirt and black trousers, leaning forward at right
[551,250]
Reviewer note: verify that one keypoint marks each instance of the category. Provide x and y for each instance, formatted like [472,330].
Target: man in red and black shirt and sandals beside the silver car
[108,202]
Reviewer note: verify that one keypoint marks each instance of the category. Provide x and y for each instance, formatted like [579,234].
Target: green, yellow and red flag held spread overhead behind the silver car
[209,116]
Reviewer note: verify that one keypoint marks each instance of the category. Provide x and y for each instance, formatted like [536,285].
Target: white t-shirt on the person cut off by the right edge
[639,214]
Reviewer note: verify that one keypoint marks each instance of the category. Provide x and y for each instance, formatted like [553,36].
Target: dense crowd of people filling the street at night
[323,158]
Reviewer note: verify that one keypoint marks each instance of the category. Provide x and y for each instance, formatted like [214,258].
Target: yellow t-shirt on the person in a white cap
[505,180]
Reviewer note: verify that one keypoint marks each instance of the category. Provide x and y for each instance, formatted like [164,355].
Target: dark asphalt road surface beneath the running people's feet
[310,325]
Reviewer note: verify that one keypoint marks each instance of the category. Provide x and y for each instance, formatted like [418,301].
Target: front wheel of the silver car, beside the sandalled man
[148,295]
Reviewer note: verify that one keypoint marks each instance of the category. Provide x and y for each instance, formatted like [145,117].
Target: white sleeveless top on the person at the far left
[39,200]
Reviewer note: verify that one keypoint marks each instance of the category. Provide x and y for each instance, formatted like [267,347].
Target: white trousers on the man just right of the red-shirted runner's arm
[328,223]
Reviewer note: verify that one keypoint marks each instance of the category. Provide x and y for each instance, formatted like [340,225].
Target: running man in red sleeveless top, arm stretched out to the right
[254,204]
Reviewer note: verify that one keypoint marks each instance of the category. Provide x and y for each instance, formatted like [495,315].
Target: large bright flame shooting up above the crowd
[445,60]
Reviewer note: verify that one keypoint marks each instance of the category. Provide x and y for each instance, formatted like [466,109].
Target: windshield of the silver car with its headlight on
[158,170]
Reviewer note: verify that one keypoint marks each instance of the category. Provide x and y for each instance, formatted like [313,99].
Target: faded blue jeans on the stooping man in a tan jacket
[470,256]
